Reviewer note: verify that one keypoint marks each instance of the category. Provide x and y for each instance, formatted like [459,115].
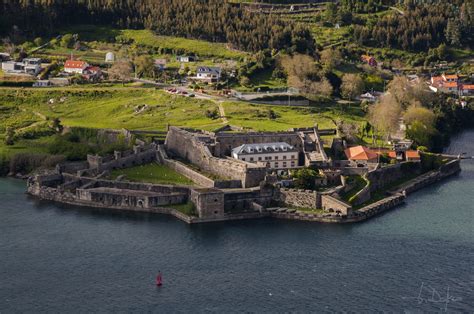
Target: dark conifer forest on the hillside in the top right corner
[422,26]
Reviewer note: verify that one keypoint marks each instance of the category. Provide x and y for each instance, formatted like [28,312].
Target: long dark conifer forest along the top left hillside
[213,20]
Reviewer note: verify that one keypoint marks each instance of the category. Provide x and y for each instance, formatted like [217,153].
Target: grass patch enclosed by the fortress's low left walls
[152,173]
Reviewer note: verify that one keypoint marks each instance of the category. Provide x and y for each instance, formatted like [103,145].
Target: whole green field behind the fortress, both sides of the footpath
[30,113]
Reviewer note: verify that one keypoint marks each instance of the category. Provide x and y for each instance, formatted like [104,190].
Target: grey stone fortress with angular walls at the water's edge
[225,188]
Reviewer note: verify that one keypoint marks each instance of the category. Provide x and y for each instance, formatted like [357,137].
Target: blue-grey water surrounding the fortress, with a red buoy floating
[56,258]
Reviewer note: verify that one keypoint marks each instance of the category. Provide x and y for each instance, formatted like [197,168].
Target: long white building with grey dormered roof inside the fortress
[276,155]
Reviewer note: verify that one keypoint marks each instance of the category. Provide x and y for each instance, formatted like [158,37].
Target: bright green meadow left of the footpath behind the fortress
[114,108]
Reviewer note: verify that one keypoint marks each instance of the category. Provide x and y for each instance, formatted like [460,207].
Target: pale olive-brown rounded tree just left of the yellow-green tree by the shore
[385,114]
